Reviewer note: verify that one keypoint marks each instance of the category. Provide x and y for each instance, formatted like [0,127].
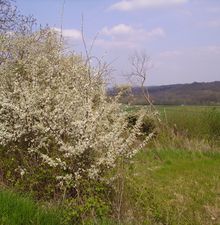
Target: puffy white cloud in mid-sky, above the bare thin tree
[123,35]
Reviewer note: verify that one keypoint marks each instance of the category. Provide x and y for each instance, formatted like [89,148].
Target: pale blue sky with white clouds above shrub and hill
[182,37]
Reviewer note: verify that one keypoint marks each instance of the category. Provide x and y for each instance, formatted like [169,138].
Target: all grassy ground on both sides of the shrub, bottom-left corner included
[175,180]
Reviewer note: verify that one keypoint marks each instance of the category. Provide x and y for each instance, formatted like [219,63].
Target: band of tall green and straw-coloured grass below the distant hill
[187,127]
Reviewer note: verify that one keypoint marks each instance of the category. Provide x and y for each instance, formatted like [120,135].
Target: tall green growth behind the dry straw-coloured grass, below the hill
[194,122]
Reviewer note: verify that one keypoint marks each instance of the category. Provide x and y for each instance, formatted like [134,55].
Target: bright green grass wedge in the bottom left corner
[17,210]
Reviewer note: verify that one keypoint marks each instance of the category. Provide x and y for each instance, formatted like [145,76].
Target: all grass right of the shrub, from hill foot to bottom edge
[176,180]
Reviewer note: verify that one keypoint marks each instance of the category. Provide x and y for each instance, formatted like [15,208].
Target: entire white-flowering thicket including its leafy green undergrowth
[60,134]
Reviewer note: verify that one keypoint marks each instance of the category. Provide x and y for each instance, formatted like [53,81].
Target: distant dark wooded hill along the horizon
[177,94]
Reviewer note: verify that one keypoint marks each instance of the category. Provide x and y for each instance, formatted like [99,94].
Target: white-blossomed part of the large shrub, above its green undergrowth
[54,109]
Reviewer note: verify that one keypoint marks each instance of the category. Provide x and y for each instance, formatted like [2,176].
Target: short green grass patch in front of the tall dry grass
[176,187]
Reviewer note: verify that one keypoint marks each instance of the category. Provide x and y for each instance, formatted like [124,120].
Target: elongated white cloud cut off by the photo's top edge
[130,5]
